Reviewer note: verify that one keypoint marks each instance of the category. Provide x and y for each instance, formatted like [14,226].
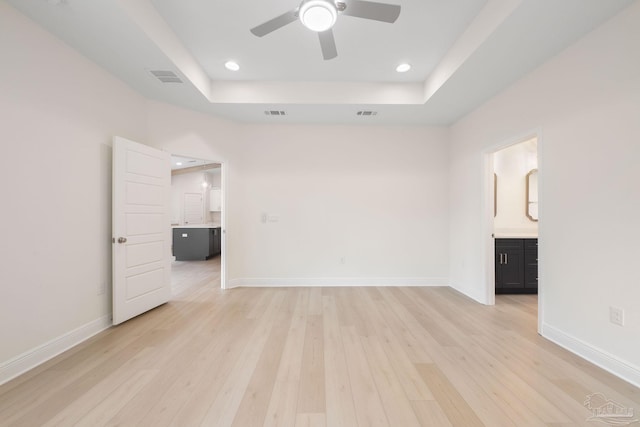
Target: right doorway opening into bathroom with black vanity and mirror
[511,221]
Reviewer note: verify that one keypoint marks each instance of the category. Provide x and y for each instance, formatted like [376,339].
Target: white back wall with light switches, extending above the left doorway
[375,196]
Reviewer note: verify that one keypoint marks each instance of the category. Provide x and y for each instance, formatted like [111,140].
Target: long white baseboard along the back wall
[337,281]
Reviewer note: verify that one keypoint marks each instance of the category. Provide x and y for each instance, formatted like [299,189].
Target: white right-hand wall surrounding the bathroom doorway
[586,105]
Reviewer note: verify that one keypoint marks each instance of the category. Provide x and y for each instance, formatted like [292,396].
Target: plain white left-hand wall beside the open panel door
[59,112]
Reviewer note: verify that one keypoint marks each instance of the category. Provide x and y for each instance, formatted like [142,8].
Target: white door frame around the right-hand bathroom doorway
[487,248]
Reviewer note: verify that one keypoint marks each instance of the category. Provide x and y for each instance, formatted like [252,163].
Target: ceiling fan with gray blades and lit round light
[321,15]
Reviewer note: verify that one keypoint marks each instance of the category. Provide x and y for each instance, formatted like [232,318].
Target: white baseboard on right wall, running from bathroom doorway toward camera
[598,357]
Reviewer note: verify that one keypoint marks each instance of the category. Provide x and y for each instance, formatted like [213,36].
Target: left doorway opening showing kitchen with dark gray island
[198,223]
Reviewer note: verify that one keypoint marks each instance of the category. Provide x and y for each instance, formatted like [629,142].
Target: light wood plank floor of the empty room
[315,357]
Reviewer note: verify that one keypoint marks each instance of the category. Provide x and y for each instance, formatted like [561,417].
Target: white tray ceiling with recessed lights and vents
[462,53]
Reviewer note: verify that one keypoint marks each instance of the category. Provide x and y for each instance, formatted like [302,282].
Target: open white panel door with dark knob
[141,229]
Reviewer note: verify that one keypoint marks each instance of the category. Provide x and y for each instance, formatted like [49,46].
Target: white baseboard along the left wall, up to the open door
[47,351]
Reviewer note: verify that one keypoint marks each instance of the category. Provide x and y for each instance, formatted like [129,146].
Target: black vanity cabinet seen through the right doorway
[516,265]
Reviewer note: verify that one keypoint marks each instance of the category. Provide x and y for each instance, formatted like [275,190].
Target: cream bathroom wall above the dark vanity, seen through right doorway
[511,166]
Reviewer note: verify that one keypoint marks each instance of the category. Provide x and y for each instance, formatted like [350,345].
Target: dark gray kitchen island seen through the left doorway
[191,244]
